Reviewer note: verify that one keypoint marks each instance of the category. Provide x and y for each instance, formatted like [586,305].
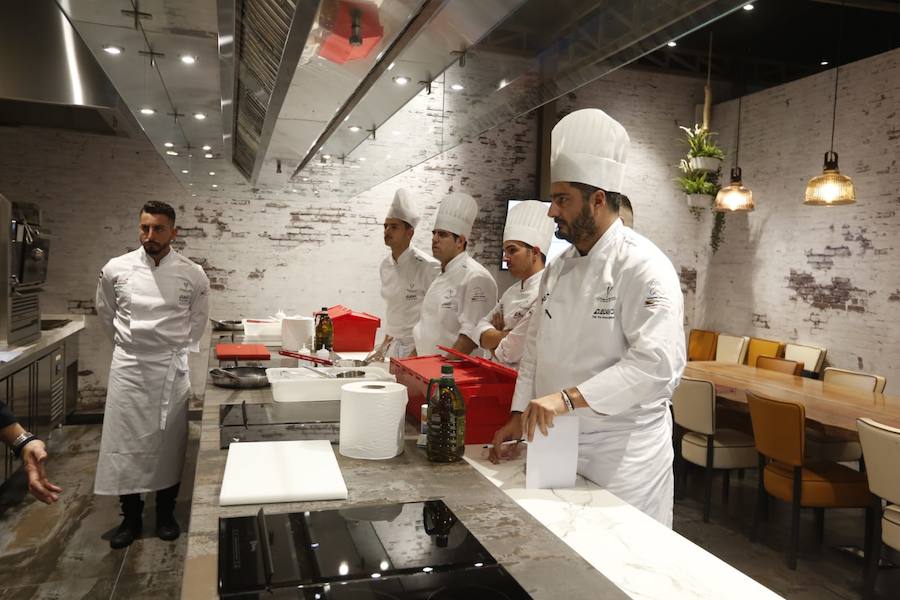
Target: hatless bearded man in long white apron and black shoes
[153,302]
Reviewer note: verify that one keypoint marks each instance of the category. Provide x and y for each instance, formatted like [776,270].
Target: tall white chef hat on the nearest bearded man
[588,146]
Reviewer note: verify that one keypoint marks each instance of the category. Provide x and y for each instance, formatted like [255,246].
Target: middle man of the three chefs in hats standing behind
[463,292]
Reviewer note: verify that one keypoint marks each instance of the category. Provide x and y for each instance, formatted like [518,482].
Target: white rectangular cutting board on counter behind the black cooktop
[297,471]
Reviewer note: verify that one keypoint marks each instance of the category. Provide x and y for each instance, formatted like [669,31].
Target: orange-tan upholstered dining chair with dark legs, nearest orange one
[780,434]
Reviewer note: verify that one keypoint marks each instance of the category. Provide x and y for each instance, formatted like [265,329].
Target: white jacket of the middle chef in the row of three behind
[456,301]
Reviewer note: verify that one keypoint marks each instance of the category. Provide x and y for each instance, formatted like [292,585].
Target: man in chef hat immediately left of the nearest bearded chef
[526,239]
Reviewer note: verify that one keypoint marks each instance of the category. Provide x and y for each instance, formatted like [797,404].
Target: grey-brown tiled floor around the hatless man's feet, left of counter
[62,551]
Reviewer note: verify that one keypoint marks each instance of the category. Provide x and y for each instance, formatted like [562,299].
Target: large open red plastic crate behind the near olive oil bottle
[486,386]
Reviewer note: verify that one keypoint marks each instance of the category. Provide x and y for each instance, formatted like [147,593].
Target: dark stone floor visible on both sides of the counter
[62,551]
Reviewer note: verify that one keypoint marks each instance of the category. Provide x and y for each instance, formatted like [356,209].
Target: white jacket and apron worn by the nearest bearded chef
[610,323]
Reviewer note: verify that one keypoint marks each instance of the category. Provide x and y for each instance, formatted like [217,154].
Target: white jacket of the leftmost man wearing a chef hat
[403,285]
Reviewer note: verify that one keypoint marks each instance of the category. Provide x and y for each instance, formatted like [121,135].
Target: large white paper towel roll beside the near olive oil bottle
[372,419]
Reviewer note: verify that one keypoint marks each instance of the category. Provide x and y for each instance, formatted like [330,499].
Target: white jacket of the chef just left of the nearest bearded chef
[516,305]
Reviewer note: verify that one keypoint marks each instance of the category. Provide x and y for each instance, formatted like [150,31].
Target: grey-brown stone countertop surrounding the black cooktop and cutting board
[542,563]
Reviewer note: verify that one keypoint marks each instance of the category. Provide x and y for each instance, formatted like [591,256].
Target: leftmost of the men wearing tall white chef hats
[406,274]
